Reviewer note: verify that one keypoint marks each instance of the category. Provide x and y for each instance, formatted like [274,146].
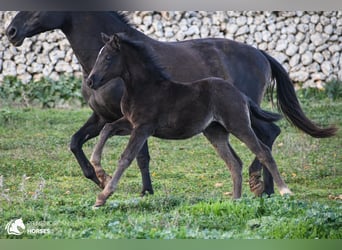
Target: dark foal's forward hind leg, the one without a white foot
[218,137]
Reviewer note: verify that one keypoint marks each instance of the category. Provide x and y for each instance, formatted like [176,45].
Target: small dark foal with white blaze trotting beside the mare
[155,105]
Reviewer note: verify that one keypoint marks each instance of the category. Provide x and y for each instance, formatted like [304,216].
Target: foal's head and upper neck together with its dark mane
[124,55]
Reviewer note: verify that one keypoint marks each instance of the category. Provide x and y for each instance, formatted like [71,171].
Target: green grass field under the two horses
[42,183]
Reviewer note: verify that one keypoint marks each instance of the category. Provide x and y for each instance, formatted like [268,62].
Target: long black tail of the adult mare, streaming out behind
[288,103]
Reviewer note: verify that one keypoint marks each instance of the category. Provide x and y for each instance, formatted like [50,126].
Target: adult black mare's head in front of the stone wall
[30,23]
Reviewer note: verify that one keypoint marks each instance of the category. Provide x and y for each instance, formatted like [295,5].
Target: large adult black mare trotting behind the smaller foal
[249,69]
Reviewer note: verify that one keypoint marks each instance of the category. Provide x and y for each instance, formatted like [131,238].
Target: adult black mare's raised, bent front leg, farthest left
[89,130]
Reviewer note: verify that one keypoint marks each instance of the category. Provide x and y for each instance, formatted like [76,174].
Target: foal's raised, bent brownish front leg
[108,130]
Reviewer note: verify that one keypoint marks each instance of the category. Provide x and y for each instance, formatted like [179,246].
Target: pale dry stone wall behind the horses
[307,44]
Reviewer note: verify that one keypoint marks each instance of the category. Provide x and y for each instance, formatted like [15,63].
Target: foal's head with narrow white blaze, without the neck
[108,64]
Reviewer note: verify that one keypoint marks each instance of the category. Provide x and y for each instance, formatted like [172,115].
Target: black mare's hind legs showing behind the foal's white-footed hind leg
[267,132]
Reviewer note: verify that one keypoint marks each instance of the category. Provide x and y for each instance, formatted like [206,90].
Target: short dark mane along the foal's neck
[146,55]
